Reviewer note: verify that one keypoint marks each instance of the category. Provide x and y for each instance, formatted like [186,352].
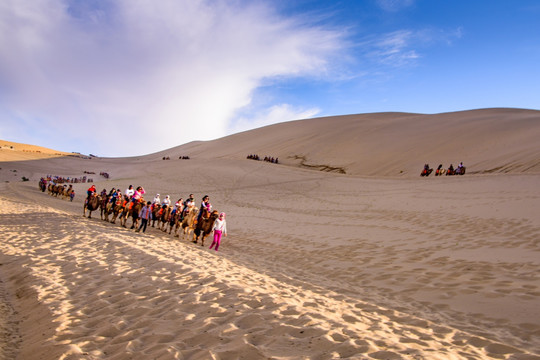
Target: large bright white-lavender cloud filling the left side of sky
[166,71]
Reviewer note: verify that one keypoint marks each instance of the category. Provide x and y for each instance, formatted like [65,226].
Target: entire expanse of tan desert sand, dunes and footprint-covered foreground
[340,251]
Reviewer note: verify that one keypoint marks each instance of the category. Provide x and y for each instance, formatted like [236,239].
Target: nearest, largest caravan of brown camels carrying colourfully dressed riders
[184,218]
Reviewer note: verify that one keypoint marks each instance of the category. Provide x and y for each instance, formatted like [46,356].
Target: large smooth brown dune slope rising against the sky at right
[392,144]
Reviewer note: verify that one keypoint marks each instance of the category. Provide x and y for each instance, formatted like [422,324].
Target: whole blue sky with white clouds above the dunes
[132,77]
